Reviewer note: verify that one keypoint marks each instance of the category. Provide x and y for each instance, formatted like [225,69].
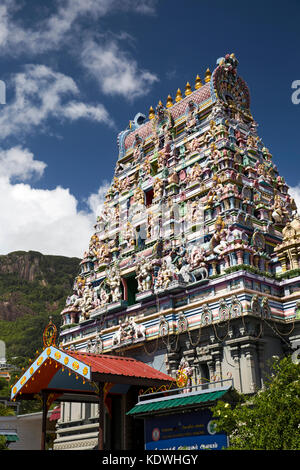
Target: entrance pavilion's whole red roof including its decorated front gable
[46,373]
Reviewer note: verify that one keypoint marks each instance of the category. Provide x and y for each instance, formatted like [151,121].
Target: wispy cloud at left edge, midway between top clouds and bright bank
[41,93]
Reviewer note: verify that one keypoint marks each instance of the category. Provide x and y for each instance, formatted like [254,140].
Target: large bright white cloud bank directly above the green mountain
[48,221]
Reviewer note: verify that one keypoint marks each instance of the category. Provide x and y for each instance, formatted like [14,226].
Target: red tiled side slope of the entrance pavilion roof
[119,365]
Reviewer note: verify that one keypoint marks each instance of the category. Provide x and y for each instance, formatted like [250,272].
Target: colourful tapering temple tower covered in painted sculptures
[196,253]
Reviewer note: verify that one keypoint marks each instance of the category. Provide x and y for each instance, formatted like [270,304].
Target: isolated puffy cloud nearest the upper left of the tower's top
[115,71]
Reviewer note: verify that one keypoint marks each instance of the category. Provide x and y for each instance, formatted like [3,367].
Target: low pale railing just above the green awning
[208,386]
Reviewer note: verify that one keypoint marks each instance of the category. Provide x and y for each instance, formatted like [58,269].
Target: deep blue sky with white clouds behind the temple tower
[76,71]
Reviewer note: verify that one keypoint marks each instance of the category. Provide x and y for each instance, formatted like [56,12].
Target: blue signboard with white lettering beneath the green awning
[192,431]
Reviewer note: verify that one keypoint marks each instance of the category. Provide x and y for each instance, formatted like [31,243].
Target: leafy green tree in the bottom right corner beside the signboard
[269,420]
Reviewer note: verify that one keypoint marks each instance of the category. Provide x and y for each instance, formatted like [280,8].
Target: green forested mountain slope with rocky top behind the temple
[32,287]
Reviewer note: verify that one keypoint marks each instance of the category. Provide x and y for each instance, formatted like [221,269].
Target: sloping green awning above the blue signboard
[183,400]
